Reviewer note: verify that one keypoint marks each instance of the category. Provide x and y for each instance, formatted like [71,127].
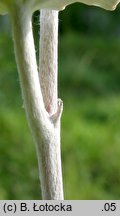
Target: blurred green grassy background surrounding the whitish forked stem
[89,84]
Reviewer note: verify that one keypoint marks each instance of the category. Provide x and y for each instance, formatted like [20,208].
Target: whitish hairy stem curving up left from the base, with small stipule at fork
[44,127]
